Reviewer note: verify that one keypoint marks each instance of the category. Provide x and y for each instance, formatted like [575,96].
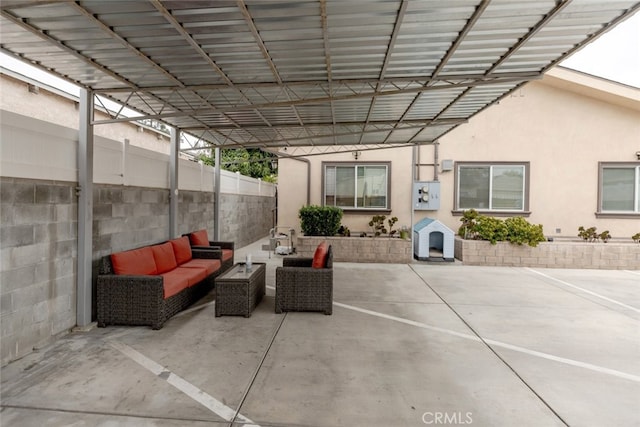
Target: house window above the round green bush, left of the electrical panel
[362,186]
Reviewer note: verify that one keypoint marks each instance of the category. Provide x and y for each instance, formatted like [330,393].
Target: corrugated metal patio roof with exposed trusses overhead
[272,73]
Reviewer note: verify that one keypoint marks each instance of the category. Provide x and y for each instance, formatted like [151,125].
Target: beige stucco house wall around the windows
[563,125]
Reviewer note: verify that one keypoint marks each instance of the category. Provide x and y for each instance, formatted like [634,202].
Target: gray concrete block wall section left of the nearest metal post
[38,229]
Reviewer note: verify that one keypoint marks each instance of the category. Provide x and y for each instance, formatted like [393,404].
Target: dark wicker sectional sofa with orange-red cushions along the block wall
[147,286]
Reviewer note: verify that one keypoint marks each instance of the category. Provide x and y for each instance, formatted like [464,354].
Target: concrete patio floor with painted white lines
[407,345]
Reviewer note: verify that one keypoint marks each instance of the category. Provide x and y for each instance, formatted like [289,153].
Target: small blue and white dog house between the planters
[433,241]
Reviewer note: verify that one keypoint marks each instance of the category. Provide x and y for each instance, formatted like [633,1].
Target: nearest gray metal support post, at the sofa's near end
[85,210]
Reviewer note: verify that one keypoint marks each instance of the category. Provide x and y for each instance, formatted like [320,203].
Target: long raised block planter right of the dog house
[611,256]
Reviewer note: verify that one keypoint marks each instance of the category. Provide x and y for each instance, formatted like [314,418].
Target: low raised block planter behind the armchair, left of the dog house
[359,249]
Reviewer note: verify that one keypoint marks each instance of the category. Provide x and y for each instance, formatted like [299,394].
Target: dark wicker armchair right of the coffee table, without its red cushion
[299,287]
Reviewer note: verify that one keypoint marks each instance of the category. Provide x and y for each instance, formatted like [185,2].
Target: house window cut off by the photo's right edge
[619,188]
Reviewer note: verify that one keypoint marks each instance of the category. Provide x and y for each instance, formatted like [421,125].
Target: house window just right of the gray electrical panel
[492,187]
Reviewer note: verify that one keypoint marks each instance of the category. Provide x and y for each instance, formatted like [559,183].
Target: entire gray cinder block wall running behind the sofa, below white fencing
[38,251]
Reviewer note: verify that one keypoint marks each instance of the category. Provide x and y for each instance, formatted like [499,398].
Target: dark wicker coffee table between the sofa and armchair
[238,292]
